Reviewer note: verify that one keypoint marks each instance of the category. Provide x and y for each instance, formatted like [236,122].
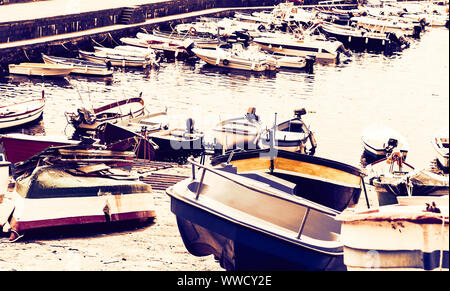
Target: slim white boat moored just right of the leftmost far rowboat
[82,67]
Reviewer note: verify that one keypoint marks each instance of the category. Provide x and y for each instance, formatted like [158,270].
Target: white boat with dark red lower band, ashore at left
[80,187]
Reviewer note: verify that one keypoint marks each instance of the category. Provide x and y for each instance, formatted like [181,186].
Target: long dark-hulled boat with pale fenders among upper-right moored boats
[362,39]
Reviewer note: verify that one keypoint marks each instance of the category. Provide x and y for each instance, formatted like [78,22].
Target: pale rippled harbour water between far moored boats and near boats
[408,92]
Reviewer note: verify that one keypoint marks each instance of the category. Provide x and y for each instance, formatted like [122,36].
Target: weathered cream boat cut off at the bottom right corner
[404,236]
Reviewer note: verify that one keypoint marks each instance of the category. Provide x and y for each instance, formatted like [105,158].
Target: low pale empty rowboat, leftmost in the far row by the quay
[40,69]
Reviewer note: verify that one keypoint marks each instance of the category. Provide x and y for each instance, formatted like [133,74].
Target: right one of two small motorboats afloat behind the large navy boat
[292,135]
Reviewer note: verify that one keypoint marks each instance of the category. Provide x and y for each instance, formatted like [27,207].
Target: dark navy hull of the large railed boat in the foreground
[240,248]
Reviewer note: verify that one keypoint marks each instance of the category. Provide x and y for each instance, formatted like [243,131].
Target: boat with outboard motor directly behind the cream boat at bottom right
[392,177]
